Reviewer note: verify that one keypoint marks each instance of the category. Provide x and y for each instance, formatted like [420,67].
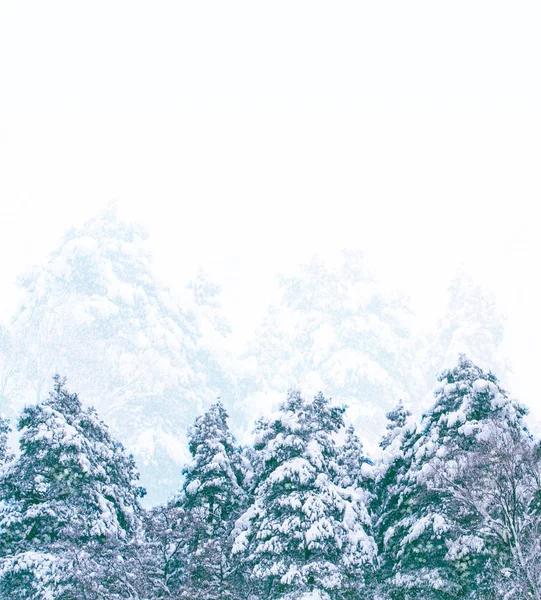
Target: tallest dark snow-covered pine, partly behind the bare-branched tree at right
[432,547]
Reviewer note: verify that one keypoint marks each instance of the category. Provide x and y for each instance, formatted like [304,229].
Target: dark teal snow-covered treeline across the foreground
[451,508]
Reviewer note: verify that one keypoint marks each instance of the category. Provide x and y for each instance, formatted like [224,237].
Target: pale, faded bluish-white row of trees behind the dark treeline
[96,311]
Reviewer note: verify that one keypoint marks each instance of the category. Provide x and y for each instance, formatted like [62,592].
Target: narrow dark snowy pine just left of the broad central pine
[212,499]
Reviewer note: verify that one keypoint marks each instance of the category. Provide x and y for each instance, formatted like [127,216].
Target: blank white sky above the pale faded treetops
[249,135]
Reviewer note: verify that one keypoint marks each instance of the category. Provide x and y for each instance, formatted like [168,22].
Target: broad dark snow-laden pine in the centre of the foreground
[303,533]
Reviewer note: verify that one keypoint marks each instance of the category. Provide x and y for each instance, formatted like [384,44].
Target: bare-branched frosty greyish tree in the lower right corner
[495,487]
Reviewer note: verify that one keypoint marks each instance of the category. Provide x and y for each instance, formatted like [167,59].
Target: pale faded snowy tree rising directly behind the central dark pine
[338,330]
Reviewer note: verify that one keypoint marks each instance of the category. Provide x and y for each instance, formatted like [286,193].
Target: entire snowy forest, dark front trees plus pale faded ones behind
[343,453]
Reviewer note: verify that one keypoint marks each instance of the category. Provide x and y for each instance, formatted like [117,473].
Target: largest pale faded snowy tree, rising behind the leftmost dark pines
[96,311]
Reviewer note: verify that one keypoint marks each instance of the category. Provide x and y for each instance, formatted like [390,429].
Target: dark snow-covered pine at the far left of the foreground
[69,503]
